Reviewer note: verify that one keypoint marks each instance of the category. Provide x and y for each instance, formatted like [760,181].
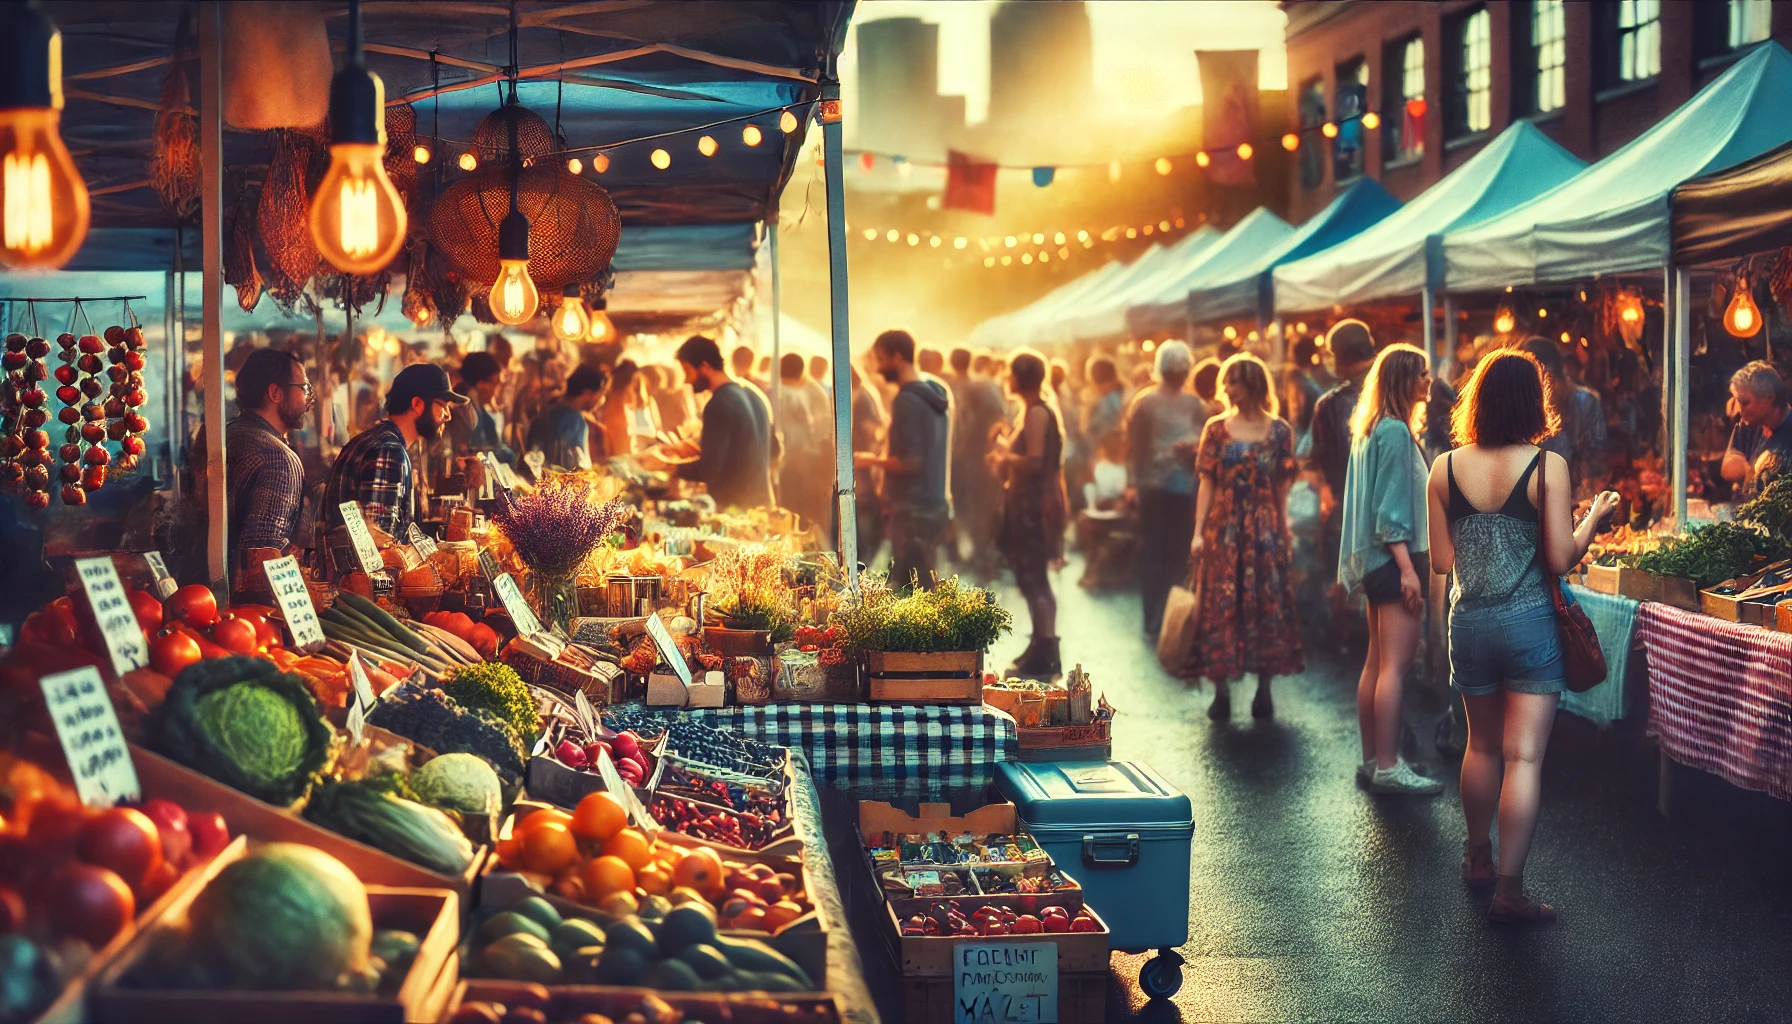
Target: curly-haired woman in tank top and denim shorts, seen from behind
[1506,654]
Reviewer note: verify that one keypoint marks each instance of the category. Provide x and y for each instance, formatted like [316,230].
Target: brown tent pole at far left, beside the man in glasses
[212,205]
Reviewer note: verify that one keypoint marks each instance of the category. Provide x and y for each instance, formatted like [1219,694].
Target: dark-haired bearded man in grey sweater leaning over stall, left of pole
[734,453]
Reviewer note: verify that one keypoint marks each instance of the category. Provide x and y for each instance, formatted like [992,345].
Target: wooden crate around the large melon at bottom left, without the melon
[433,916]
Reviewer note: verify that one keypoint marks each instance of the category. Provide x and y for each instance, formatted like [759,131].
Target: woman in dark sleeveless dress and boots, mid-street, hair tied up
[1035,512]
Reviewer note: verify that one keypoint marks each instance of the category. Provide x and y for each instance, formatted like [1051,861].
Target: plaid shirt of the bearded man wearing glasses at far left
[266,485]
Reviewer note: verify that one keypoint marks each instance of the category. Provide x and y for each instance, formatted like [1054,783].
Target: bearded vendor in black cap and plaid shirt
[375,467]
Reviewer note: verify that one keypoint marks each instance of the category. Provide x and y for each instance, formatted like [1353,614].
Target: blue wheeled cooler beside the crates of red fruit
[1124,835]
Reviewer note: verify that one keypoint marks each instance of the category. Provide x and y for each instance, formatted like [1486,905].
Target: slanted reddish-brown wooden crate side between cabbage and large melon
[250,817]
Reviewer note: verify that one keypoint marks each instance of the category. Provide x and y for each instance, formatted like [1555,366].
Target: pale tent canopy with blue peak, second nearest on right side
[1391,259]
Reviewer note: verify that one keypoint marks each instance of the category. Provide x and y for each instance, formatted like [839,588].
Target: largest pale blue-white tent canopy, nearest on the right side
[1614,218]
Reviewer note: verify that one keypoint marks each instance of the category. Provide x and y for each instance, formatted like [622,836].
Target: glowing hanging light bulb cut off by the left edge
[44,202]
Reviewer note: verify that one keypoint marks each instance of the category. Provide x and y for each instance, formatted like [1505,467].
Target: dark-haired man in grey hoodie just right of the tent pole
[918,462]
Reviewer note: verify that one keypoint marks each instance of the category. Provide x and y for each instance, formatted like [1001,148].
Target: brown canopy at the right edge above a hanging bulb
[1737,213]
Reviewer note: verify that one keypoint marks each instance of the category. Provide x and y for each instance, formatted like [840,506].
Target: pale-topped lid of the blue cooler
[1092,794]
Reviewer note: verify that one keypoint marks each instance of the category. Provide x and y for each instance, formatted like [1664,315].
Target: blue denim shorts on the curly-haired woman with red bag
[1513,648]
